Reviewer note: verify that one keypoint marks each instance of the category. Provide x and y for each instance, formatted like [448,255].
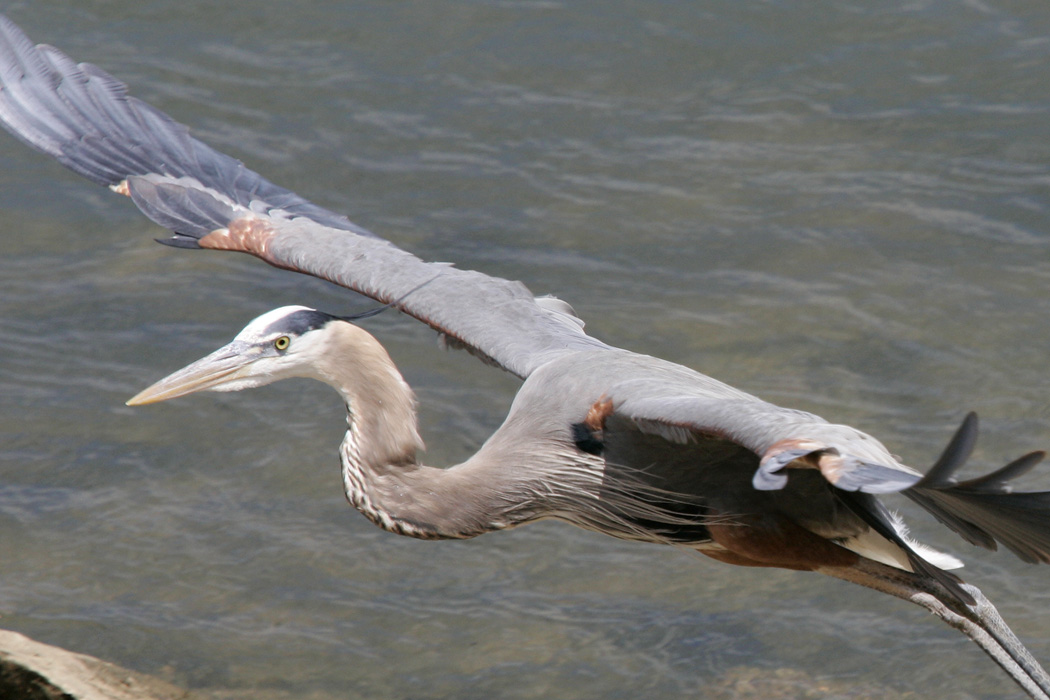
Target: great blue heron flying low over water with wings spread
[611,440]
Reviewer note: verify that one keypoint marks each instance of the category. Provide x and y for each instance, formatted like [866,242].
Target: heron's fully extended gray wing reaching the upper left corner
[85,118]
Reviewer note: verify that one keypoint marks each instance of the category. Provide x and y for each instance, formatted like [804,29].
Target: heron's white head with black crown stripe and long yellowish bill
[282,344]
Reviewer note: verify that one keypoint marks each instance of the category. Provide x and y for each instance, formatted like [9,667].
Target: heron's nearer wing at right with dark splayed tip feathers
[985,511]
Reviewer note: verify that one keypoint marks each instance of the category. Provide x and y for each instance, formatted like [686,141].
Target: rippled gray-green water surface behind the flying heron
[839,207]
